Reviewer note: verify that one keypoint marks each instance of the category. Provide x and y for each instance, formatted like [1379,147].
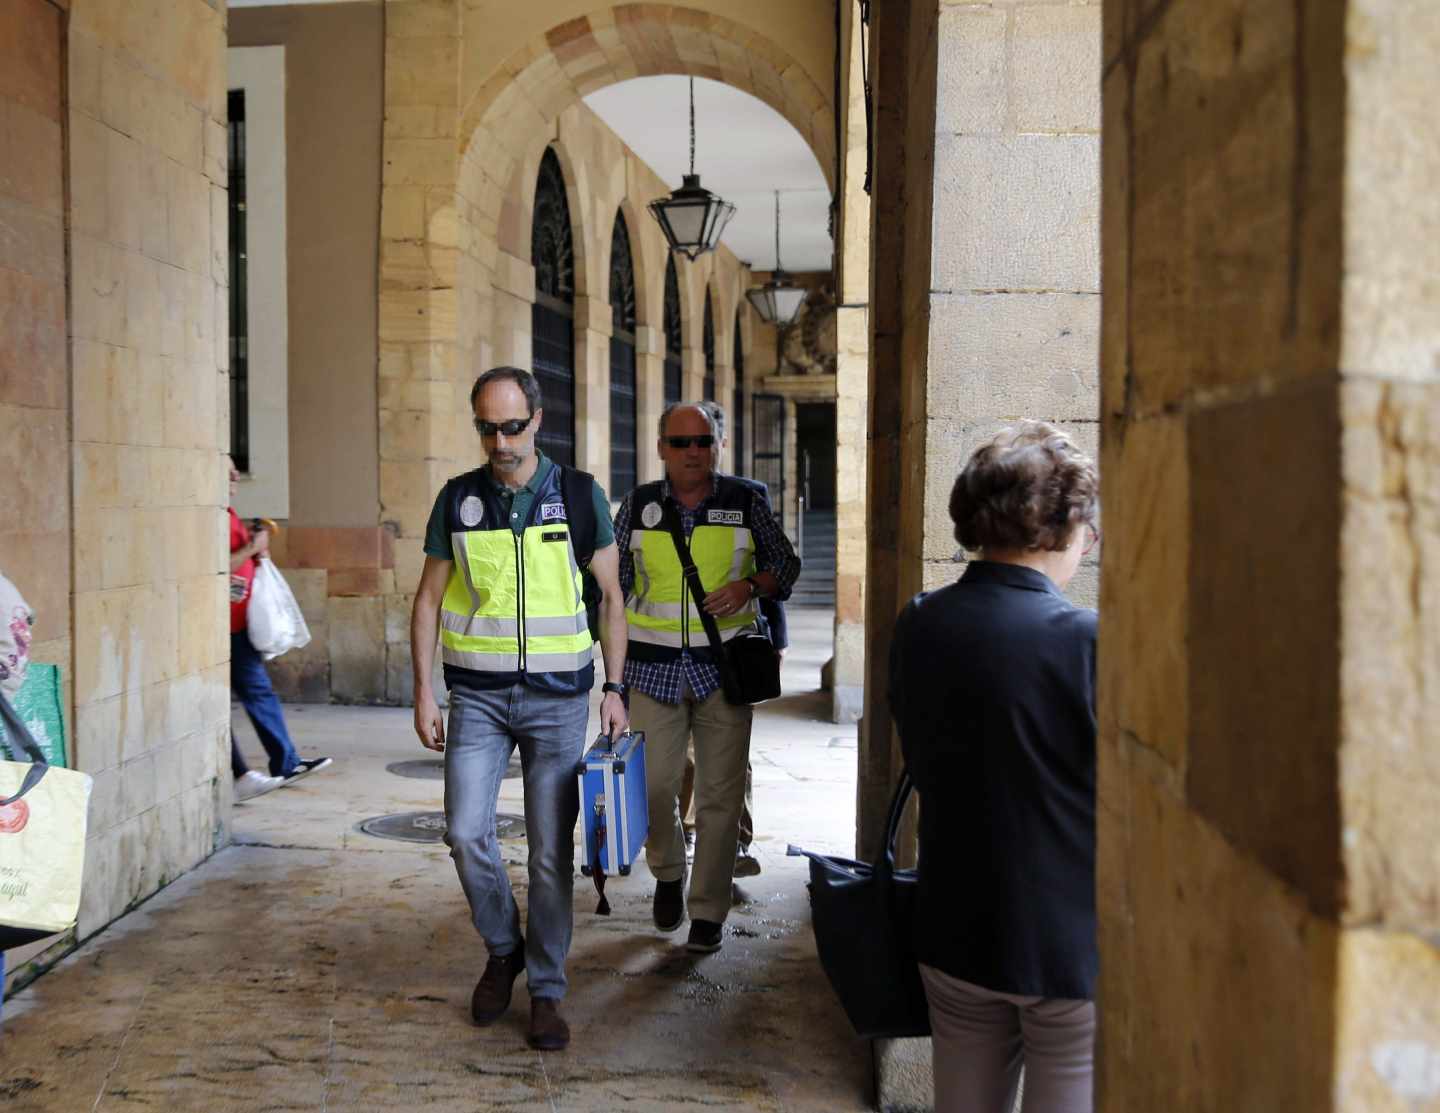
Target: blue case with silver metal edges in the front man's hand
[614,807]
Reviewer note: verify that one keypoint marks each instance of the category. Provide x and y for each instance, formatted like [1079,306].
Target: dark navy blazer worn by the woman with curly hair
[993,688]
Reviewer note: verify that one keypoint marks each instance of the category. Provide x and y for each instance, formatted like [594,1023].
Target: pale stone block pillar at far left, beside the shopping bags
[149,359]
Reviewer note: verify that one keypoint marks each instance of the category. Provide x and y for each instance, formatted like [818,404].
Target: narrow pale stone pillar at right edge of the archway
[852,381]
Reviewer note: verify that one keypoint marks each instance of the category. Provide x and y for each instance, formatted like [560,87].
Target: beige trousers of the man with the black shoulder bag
[722,738]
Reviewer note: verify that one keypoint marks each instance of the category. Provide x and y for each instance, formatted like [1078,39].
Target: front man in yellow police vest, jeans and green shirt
[503,587]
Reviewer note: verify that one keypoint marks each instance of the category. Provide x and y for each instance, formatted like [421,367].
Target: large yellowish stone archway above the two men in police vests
[473,99]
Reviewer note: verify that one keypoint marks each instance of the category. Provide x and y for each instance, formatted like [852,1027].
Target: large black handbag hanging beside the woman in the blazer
[863,916]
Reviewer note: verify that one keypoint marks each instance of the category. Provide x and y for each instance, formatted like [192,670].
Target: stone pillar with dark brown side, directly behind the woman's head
[984,305]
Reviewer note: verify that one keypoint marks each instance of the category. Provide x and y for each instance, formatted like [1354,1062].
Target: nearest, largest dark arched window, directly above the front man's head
[552,317]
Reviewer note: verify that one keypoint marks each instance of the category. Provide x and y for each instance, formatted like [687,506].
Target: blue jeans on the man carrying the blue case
[485,729]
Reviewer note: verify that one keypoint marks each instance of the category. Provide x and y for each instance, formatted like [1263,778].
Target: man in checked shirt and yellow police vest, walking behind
[742,556]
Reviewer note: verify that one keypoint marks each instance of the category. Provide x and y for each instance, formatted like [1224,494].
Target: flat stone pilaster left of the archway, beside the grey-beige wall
[420,345]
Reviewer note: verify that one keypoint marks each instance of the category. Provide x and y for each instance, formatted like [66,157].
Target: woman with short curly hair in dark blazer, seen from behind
[993,688]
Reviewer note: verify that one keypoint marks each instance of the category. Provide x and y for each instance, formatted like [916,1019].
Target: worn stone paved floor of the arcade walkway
[312,967]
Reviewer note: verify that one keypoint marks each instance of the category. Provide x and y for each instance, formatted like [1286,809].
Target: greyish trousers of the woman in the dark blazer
[981,1040]
